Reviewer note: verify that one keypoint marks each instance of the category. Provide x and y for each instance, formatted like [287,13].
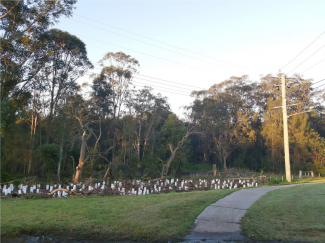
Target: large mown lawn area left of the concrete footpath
[150,218]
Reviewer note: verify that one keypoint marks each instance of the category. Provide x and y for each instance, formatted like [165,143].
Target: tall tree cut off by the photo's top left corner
[23,24]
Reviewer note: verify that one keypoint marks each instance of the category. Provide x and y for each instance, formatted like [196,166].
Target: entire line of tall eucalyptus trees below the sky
[50,128]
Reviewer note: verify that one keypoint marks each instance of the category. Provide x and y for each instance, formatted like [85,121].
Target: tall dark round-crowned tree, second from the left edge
[67,61]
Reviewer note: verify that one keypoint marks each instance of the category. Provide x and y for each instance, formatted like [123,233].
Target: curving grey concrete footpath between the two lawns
[220,222]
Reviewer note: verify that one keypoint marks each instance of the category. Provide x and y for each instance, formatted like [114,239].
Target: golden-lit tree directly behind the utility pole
[300,99]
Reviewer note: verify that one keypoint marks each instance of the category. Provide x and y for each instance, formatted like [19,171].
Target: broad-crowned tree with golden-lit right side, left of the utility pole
[225,112]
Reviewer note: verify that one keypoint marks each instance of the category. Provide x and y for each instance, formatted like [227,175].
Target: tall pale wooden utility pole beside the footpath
[285,129]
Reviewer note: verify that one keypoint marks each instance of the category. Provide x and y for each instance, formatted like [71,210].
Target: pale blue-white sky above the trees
[188,45]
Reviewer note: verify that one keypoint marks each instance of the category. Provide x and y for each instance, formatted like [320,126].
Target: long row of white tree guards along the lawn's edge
[118,188]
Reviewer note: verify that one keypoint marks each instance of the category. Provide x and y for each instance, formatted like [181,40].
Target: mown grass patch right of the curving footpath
[289,214]
